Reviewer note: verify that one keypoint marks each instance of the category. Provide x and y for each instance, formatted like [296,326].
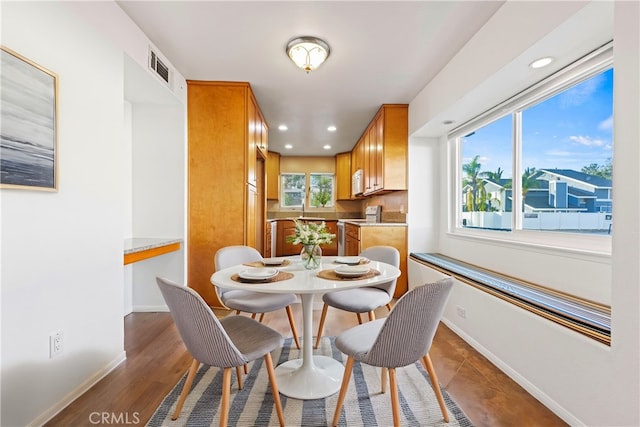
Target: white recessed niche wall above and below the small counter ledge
[159,167]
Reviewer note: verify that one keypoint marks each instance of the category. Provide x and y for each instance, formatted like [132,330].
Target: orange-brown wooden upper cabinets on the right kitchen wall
[382,150]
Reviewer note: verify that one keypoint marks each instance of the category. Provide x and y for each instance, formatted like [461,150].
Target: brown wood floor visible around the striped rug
[157,359]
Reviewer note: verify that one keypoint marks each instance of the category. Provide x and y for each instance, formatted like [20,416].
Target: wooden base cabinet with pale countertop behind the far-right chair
[358,238]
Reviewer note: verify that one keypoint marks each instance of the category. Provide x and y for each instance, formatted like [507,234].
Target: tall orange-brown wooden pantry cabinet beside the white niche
[227,137]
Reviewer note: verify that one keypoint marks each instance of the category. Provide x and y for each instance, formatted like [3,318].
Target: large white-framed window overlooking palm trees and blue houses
[557,137]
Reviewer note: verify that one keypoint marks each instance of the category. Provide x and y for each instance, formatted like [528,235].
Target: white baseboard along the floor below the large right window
[547,401]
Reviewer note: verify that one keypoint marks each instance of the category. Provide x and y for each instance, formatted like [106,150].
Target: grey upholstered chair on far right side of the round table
[363,300]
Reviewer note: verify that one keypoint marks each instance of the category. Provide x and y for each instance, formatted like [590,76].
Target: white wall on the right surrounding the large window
[582,381]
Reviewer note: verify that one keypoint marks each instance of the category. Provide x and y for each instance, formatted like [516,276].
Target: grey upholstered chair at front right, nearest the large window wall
[400,339]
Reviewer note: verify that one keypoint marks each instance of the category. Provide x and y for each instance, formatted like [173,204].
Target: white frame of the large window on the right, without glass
[592,64]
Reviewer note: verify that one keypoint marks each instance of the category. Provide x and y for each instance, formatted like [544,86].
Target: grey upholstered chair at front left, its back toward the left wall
[230,342]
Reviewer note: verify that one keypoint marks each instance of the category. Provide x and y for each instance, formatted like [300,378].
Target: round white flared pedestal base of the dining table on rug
[316,379]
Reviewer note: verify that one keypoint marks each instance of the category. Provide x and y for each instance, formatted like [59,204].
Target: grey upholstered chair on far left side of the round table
[248,301]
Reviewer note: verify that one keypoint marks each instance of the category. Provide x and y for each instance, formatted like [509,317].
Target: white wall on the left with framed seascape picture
[62,252]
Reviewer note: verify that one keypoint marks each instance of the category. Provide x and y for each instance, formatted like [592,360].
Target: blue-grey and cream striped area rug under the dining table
[364,404]
